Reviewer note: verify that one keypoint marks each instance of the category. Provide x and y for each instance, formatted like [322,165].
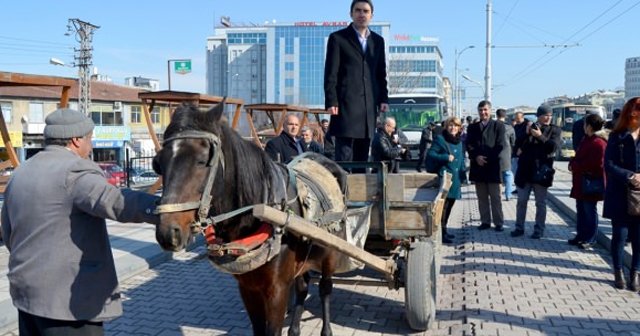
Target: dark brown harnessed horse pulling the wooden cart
[208,169]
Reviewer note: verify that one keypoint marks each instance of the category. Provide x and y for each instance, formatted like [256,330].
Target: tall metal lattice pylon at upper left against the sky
[84,35]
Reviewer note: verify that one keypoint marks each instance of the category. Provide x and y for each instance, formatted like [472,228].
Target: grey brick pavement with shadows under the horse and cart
[490,284]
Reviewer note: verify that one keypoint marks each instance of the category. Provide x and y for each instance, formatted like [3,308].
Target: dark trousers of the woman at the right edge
[619,236]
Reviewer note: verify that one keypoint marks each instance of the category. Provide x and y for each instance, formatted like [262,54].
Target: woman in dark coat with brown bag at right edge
[622,165]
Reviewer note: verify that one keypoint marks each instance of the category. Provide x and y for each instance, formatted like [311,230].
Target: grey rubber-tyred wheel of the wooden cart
[420,285]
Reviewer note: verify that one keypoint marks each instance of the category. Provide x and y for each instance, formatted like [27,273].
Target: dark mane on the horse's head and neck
[246,166]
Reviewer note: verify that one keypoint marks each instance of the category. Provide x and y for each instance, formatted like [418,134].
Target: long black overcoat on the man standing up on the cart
[355,82]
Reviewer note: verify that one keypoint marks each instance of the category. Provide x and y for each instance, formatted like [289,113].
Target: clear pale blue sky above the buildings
[543,48]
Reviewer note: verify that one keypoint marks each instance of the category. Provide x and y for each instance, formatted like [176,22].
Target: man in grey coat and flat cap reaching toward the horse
[62,277]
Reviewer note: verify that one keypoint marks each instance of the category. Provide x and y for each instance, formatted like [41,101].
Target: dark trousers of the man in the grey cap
[31,325]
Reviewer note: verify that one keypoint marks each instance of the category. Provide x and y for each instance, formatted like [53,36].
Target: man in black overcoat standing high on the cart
[355,83]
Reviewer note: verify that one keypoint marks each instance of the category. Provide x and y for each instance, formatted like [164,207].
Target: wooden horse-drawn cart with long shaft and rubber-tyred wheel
[406,210]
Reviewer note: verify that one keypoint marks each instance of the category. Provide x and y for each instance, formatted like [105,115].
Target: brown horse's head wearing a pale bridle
[190,161]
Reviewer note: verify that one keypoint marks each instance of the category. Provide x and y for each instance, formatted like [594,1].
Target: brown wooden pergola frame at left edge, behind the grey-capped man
[19,79]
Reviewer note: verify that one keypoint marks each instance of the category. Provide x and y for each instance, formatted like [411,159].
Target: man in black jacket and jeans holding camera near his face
[535,170]
